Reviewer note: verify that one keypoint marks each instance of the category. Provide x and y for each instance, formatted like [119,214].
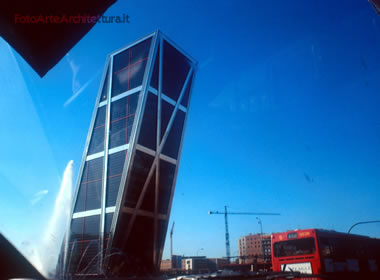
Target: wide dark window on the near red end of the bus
[296,247]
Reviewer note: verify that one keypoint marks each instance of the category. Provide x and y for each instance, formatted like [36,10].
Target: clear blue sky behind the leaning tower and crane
[284,118]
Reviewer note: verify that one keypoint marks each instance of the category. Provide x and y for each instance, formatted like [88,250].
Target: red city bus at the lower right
[328,253]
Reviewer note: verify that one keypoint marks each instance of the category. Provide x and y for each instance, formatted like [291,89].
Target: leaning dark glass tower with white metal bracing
[127,176]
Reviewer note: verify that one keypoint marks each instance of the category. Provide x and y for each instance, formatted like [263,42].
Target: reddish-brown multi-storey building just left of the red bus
[254,248]
